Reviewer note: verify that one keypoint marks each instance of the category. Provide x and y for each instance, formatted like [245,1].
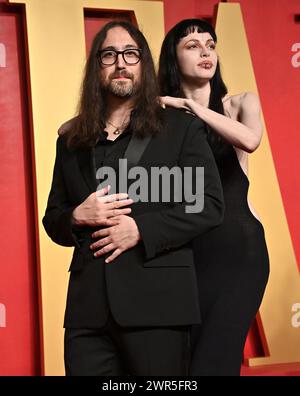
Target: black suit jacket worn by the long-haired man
[154,283]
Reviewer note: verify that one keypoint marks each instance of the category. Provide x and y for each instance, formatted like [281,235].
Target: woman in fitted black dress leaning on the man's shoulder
[231,260]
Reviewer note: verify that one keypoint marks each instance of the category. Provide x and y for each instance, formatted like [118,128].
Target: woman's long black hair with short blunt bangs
[169,72]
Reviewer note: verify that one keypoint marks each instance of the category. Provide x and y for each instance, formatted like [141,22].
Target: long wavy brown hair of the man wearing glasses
[85,128]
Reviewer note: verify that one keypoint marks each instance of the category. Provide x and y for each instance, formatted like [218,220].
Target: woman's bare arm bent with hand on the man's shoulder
[245,134]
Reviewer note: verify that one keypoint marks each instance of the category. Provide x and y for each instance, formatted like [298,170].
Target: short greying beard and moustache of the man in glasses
[121,88]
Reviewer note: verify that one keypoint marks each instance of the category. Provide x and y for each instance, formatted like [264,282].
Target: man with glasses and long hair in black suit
[132,293]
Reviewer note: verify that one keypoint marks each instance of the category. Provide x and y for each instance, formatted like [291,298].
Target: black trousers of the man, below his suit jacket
[115,350]
